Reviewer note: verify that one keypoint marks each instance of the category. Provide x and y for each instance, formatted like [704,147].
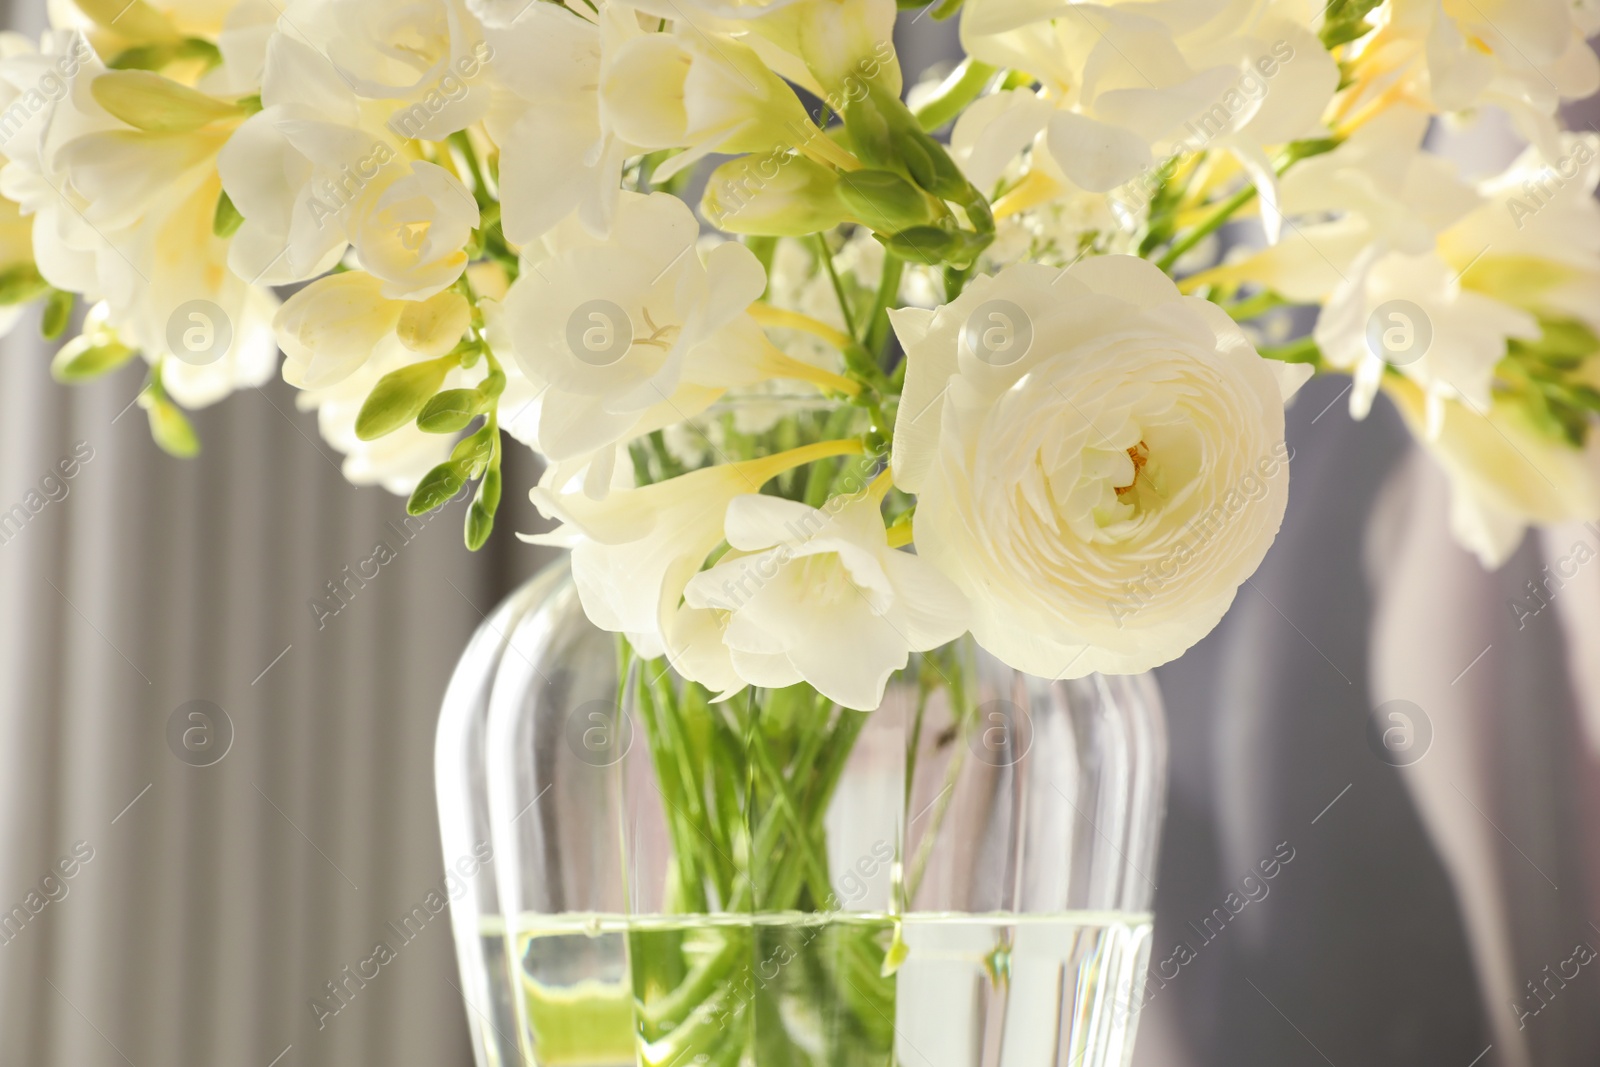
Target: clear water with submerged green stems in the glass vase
[833,989]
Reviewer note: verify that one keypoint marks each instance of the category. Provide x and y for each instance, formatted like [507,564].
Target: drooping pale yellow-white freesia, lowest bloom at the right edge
[1505,474]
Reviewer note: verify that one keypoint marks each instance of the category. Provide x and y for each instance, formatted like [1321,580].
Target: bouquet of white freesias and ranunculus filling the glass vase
[828,369]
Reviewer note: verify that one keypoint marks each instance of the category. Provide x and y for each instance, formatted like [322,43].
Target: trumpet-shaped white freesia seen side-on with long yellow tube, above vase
[638,549]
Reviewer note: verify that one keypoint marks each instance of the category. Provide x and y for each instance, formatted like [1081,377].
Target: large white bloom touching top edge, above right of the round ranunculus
[1124,87]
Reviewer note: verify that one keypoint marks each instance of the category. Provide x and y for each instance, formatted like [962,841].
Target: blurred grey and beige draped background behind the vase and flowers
[1420,922]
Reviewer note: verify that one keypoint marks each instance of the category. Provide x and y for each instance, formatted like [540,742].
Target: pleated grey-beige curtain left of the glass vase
[217,901]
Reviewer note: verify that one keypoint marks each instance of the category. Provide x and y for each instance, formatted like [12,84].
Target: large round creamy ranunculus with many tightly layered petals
[1100,462]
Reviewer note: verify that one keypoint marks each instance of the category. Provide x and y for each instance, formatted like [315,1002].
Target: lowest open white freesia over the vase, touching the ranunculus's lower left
[820,597]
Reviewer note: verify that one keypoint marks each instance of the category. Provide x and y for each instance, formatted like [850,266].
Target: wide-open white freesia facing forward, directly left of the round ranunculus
[636,332]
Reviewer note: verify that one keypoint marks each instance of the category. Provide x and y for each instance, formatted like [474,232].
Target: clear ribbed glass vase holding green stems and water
[958,879]
